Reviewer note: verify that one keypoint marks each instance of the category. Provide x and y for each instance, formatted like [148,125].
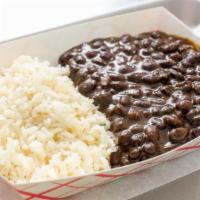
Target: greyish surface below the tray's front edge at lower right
[142,182]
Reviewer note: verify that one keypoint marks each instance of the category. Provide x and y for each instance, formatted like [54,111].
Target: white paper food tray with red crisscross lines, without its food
[49,45]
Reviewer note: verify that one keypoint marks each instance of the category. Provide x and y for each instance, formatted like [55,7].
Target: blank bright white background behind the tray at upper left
[20,17]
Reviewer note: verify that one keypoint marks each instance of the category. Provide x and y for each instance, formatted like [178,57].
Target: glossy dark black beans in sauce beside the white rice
[147,85]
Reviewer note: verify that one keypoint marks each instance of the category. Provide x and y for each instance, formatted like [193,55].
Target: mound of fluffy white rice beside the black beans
[48,130]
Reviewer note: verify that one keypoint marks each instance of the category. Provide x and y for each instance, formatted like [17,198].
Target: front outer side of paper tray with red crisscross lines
[60,189]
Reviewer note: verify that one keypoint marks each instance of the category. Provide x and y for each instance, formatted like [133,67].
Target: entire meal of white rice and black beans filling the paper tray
[147,90]
